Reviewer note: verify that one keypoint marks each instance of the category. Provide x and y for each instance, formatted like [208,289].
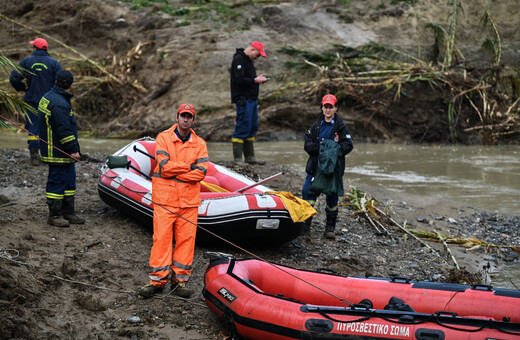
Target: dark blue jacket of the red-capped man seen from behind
[44,69]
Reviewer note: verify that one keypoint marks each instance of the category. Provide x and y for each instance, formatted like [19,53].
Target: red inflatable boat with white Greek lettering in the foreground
[260,300]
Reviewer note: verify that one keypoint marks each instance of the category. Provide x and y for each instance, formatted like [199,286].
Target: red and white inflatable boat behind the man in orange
[247,215]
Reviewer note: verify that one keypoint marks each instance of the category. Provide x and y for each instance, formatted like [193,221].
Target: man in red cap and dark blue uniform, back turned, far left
[40,75]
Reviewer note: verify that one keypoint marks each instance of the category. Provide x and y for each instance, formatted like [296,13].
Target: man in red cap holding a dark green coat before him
[327,140]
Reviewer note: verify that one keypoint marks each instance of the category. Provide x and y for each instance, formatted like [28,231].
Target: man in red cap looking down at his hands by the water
[244,94]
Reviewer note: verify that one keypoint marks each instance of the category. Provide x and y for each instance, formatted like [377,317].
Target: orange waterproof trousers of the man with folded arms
[171,223]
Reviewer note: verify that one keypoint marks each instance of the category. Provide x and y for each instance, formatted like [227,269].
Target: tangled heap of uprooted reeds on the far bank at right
[480,100]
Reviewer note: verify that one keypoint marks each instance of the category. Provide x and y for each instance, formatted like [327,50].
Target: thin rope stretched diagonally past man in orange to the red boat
[345,302]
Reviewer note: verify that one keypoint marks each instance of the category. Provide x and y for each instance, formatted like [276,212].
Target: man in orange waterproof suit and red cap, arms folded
[182,162]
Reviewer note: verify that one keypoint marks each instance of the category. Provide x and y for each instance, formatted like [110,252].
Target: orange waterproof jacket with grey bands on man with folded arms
[174,183]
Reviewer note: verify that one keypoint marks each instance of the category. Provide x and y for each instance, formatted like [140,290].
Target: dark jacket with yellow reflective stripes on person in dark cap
[57,127]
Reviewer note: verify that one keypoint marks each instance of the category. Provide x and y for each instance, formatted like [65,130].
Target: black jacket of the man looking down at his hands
[243,74]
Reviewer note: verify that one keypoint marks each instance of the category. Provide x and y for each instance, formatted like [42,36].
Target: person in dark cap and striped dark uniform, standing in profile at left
[60,150]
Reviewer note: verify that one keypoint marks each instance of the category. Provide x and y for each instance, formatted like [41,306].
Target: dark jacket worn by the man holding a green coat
[339,134]
